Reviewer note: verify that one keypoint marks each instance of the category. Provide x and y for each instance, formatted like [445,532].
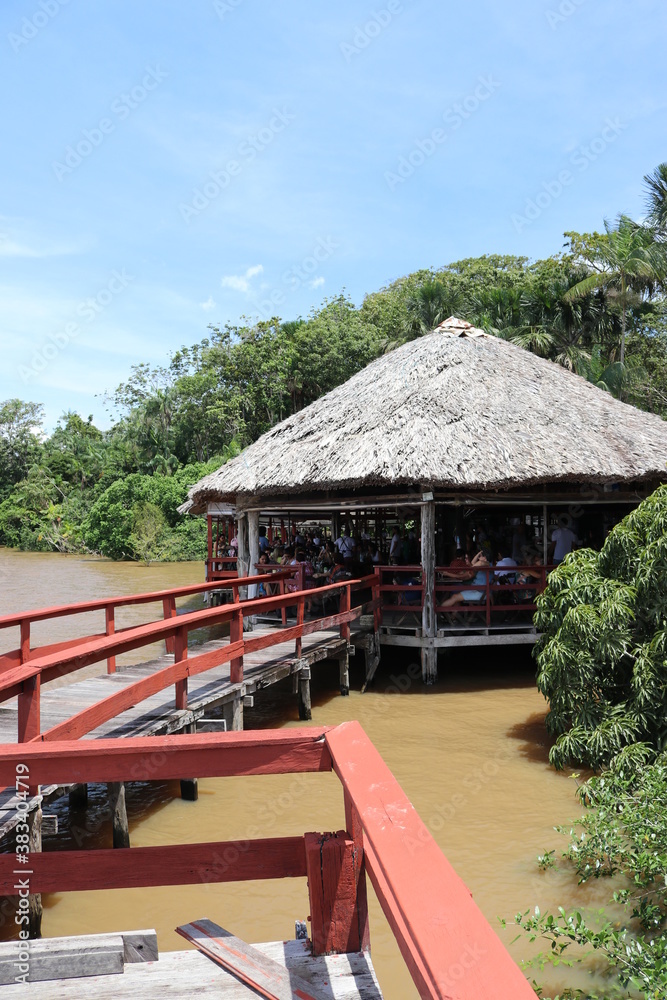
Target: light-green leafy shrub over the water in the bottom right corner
[622,837]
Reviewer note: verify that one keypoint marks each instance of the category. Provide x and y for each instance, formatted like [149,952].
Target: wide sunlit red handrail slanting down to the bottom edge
[447,943]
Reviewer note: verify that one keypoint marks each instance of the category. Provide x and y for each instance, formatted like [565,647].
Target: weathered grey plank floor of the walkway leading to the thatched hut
[156,715]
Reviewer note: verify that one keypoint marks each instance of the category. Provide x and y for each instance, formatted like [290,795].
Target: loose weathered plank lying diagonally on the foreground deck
[262,974]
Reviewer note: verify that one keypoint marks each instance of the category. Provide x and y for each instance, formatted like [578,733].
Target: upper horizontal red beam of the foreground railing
[161,758]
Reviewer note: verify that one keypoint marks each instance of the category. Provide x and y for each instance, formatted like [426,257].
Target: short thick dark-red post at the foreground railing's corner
[335,871]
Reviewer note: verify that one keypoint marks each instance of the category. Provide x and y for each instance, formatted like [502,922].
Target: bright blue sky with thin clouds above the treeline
[170,164]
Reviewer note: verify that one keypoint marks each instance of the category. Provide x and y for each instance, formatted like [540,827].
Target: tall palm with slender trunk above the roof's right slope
[629,261]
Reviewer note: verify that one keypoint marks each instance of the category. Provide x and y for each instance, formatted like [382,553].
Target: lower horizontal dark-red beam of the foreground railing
[170,864]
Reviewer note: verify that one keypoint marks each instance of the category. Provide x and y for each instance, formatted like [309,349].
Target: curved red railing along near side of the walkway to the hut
[25,679]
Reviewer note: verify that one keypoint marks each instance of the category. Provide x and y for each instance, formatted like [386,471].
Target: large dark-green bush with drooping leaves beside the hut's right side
[602,658]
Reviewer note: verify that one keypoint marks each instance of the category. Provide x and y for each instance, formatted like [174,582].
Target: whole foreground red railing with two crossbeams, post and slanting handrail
[447,944]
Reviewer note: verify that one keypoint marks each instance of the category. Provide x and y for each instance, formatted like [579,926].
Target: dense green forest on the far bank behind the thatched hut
[597,308]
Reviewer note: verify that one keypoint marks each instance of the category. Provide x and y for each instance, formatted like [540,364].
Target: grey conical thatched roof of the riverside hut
[456,409]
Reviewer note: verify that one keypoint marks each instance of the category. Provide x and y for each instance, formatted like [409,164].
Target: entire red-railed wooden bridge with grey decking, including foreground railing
[141,723]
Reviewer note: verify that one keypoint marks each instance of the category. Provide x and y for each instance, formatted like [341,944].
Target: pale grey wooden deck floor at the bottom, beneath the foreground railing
[177,975]
